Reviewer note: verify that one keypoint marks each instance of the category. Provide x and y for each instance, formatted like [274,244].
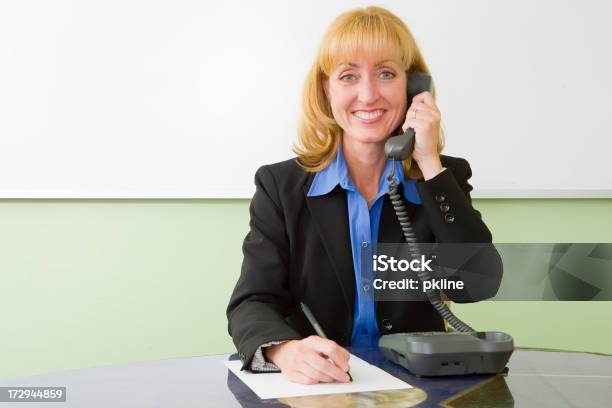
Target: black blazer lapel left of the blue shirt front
[330,214]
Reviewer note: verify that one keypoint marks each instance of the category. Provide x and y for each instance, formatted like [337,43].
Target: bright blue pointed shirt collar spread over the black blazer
[337,174]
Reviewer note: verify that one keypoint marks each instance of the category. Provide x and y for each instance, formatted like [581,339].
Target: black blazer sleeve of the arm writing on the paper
[261,299]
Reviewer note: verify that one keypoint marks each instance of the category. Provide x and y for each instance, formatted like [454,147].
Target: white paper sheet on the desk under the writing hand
[366,377]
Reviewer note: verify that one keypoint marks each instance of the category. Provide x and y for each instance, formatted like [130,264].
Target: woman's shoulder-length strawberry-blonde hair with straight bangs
[373,30]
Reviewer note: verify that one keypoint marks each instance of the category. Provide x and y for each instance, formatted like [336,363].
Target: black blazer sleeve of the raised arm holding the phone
[448,206]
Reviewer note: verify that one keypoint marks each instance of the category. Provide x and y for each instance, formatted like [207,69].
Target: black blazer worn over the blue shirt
[298,249]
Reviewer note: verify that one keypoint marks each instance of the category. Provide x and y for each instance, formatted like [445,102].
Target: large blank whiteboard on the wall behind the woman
[186,98]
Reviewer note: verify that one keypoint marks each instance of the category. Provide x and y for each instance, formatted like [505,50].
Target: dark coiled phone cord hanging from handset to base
[432,294]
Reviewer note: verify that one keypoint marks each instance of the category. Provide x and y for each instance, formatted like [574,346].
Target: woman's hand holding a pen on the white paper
[310,360]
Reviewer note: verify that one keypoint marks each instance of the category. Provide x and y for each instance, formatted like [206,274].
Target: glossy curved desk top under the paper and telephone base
[535,378]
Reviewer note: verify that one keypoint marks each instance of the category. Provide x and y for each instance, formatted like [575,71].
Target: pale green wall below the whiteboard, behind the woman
[95,282]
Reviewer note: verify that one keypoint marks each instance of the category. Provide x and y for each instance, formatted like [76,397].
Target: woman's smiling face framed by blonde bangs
[368,97]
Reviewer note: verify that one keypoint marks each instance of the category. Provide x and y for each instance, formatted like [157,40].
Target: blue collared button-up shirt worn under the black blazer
[363,226]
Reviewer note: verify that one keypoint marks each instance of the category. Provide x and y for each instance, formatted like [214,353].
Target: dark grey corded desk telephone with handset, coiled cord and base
[436,353]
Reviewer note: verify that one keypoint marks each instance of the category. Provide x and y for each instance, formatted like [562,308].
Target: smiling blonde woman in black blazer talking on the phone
[311,215]
